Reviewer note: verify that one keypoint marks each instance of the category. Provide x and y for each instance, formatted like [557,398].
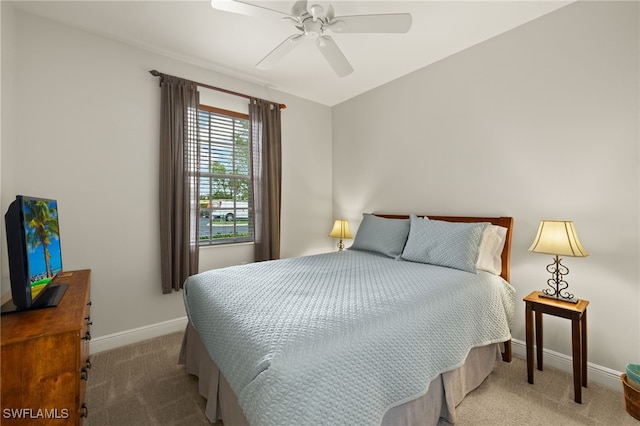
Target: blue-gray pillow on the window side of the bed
[381,235]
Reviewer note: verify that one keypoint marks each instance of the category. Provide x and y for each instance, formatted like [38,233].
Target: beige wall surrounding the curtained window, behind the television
[86,120]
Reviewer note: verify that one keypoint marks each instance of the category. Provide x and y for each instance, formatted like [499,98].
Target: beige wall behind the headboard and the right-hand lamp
[538,123]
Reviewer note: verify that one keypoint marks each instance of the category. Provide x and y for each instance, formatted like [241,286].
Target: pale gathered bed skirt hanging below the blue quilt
[445,391]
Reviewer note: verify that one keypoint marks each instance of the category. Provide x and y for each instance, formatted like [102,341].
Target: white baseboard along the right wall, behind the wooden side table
[595,373]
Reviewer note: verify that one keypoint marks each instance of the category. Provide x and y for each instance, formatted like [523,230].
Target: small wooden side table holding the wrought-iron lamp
[577,313]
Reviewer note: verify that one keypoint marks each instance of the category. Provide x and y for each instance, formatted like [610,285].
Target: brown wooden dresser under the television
[45,358]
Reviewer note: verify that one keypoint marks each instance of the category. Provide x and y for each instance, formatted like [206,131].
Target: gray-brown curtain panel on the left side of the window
[179,158]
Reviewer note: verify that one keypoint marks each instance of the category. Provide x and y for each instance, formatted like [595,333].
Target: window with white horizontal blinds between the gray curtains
[225,176]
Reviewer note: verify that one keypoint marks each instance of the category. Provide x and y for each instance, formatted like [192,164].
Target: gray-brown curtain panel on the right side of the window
[267,174]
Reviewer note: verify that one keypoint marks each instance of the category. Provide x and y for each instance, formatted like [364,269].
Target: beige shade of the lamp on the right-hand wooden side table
[558,237]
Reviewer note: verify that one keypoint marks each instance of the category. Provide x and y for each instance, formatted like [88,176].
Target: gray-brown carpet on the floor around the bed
[141,384]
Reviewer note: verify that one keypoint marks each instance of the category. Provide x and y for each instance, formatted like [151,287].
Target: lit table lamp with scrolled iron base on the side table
[559,238]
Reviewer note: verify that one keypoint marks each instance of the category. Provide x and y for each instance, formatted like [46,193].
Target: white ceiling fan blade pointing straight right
[384,23]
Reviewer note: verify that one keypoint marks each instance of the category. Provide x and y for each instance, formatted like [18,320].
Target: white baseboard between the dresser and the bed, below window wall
[115,340]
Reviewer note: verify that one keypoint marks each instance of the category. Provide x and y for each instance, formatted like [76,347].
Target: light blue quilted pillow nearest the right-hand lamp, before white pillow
[451,244]
